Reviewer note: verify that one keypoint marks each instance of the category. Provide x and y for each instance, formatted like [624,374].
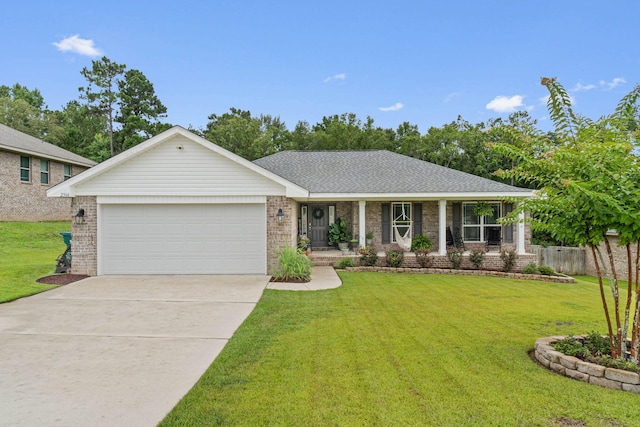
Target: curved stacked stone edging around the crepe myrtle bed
[580,370]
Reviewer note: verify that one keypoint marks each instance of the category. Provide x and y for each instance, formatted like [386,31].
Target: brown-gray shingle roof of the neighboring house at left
[16,141]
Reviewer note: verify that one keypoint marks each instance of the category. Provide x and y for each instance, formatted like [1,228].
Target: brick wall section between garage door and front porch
[280,235]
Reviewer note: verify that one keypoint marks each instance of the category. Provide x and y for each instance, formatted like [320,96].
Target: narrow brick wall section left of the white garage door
[84,238]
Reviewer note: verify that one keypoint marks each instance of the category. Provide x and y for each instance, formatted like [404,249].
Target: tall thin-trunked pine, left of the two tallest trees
[101,90]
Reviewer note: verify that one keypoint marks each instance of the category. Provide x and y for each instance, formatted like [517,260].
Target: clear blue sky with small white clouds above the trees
[424,62]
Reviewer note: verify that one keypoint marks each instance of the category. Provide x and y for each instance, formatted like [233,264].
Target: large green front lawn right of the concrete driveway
[399,350]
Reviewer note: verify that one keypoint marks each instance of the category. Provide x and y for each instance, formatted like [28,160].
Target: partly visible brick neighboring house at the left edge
[28,167]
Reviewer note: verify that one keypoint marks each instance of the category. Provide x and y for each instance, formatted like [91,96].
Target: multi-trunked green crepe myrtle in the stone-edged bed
[588,179]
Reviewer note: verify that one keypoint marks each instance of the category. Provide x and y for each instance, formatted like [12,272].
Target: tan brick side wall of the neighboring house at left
[27,201]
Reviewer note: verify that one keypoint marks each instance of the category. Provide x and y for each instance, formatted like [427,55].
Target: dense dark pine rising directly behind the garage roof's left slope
[139,112]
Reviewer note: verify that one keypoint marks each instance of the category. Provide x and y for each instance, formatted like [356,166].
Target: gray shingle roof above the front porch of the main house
[375,171]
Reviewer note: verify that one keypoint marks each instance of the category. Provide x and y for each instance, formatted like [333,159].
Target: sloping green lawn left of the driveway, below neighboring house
[28,252]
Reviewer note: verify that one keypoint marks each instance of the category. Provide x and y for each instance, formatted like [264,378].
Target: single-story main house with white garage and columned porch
[179,204]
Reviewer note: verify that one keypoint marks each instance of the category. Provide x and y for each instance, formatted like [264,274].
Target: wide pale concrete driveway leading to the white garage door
[115,350]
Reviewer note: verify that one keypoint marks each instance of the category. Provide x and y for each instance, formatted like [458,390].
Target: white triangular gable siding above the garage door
[191,170]
